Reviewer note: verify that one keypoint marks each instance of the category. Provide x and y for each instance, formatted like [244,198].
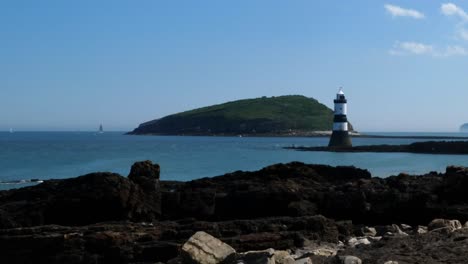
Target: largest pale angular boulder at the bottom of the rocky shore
[203,248]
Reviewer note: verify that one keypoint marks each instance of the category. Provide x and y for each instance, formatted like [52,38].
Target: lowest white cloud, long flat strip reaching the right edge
[415,48]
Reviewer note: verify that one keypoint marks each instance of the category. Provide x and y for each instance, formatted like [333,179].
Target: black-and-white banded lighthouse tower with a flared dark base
[340,136]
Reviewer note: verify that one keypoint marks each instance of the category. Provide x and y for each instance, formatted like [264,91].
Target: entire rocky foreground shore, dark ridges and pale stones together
[284,213]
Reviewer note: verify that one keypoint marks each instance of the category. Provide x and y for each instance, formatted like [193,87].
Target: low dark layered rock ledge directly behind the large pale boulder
[126,242]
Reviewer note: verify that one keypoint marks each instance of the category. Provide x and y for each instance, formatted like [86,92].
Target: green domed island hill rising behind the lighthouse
[290,115]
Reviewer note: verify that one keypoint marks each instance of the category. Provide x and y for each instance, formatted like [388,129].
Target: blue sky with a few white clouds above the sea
[71,65]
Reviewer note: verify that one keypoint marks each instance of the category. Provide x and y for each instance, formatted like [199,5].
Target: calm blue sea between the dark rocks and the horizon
[30,157]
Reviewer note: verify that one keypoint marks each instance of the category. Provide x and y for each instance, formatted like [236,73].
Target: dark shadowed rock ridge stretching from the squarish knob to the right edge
[342,193]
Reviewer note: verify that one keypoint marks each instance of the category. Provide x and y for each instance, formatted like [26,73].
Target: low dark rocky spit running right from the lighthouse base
[427,147]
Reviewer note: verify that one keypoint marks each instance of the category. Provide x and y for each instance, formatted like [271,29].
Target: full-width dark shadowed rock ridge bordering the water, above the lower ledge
[293,189]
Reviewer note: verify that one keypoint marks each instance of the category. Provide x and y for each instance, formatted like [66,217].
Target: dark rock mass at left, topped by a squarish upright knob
[87,199]
